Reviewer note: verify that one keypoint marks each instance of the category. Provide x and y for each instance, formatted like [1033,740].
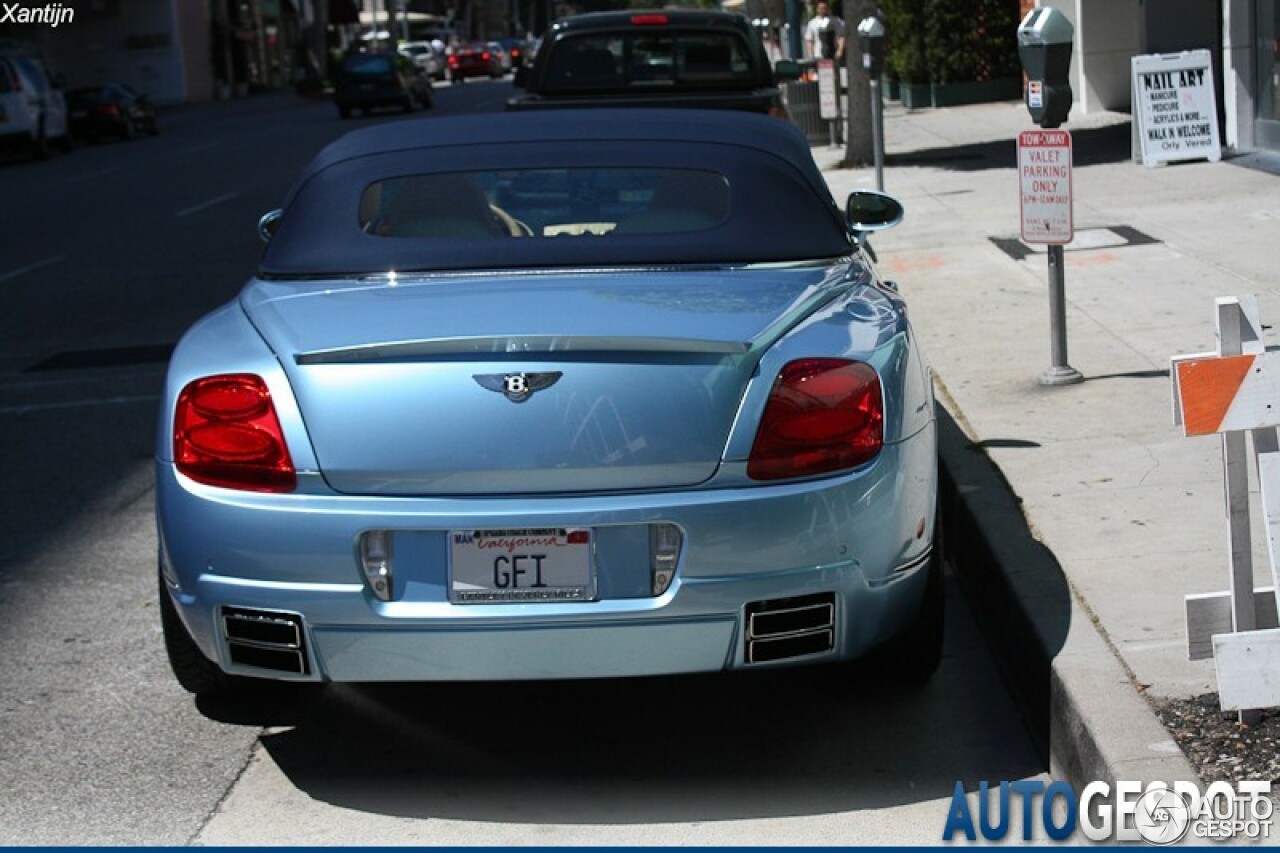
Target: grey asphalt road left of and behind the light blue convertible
[107,256]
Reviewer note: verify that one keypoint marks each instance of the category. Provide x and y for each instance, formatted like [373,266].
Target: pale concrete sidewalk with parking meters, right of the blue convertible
[1121,516]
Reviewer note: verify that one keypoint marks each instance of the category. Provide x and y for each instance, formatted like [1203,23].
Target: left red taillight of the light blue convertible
[226,434]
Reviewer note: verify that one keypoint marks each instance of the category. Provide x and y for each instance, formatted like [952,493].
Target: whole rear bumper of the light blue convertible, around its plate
[851,541]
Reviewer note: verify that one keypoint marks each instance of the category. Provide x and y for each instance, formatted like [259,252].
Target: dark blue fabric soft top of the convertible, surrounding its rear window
[781,208]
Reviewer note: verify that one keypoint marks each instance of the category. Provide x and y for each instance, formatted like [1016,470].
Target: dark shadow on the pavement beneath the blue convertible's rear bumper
[797,742]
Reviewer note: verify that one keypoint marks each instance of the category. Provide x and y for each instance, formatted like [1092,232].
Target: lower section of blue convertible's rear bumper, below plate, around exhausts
[706,632]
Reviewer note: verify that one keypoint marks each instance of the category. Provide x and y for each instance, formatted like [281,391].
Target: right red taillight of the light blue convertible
[824,416]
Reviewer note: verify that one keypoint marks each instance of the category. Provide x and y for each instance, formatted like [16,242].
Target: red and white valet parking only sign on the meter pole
[1045,180]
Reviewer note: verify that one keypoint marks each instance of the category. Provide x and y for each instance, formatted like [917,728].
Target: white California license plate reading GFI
[540,565]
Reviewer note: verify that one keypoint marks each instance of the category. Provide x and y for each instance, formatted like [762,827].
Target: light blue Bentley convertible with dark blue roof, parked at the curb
[552,396]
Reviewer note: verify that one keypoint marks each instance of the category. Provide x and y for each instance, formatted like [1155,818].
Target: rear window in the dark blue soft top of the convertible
[573,203]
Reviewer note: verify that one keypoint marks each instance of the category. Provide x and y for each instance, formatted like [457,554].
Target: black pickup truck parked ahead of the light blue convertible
[660,58]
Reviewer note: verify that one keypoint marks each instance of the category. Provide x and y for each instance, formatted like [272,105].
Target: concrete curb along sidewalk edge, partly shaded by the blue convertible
[1081,704]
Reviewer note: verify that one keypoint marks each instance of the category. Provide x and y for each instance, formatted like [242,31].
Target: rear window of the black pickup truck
[657,60]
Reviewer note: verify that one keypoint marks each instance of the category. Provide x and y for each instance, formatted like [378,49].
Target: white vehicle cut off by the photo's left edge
[33,110]
